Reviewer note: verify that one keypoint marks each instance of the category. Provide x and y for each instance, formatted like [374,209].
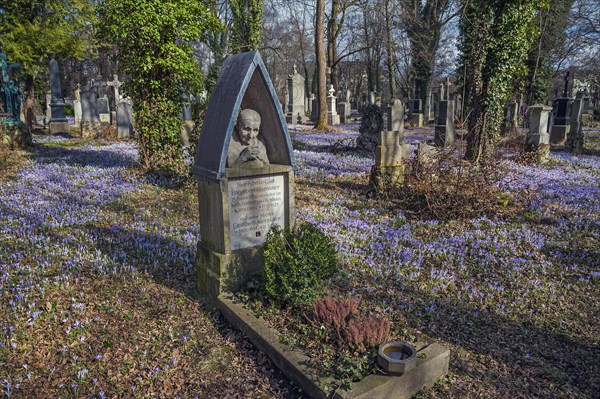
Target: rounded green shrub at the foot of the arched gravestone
[297,262]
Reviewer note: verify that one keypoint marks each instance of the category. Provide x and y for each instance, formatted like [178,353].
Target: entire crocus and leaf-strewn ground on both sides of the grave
[98,297]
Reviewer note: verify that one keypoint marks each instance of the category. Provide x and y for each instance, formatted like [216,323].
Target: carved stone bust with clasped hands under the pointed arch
[246,148]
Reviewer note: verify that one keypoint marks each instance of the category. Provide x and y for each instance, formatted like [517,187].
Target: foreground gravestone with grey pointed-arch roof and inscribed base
[239,203]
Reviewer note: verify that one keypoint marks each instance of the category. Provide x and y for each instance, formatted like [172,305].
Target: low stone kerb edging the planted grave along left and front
[432,361]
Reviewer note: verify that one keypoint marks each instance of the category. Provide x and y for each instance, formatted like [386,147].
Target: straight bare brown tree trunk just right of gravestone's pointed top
[321,66]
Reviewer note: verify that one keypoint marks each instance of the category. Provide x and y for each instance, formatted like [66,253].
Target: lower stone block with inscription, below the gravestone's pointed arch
[220,265]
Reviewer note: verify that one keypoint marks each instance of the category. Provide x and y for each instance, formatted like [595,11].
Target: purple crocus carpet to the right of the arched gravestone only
[489,263]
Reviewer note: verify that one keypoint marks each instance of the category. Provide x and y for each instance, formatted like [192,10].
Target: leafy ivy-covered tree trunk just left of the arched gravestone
[154,47]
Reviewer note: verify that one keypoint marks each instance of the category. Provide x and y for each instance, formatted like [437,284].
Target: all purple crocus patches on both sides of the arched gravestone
[57,222]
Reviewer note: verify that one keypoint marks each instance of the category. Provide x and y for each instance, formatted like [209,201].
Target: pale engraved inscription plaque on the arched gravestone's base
[255,204]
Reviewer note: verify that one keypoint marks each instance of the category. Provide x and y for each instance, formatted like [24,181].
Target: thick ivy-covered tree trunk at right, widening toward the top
[495,39]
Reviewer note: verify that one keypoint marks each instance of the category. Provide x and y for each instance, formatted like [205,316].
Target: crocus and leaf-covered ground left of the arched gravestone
[97,286]
